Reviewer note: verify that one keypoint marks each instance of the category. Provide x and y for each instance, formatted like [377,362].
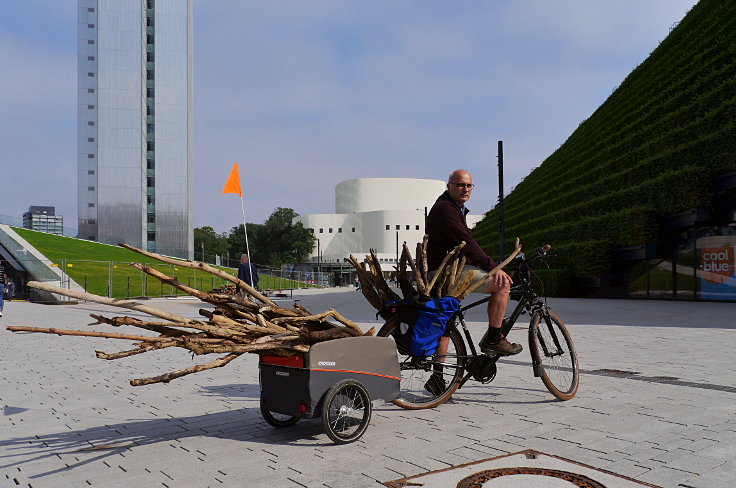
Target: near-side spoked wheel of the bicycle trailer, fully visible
[346,411]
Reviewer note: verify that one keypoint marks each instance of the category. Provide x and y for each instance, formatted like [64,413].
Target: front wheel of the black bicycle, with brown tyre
[552,349]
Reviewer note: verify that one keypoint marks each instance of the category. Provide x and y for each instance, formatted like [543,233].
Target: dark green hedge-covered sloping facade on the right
[650,150]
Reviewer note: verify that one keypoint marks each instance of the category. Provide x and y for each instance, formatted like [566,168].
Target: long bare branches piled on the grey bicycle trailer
[238,324]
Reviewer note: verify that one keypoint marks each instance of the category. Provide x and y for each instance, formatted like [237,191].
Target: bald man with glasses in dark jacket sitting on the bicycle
[446,228]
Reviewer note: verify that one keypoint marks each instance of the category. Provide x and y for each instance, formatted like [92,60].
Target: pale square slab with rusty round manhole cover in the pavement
[520,470]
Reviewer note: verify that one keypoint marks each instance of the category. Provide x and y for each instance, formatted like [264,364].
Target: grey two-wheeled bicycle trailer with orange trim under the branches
[336,380]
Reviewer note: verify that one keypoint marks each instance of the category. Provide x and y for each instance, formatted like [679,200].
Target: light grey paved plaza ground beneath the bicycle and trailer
[656,404]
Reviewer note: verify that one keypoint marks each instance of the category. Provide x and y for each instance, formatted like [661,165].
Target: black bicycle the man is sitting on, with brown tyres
[427,381]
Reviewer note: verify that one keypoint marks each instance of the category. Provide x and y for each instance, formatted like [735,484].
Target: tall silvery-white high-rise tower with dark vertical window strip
[135,164]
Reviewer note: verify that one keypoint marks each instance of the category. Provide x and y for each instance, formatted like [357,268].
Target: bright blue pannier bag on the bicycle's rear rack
[421,323]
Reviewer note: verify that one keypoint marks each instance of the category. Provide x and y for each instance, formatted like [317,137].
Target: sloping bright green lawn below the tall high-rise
[104,270]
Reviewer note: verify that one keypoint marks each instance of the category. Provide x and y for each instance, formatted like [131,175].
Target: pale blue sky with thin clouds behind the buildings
[304,95]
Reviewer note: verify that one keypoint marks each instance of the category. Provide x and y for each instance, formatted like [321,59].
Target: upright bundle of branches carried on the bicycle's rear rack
[450,279]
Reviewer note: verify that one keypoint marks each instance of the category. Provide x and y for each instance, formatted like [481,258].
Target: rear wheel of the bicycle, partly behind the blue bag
[428,382]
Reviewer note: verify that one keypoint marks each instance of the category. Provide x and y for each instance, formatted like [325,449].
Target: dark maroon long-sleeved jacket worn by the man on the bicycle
[446,228]
